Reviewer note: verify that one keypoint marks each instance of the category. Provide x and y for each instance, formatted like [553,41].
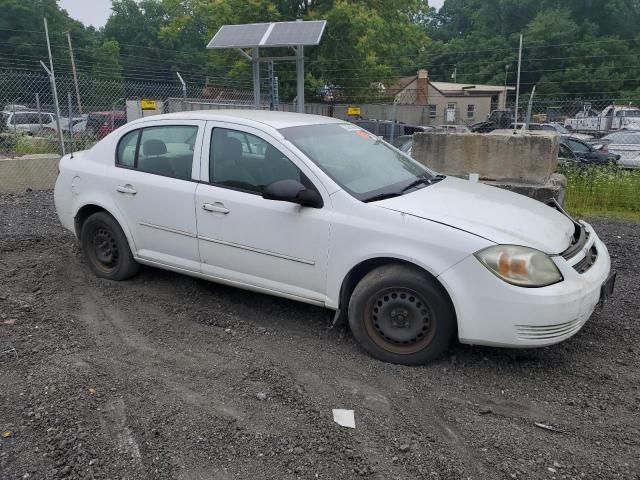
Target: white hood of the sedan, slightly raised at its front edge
[489,212]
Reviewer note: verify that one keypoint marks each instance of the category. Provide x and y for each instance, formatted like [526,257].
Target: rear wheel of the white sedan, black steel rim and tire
[106,248]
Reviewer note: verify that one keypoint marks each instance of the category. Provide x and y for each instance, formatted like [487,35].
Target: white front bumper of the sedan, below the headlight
[493,312]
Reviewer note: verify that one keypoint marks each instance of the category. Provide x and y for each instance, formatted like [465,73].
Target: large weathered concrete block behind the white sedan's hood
[522,158]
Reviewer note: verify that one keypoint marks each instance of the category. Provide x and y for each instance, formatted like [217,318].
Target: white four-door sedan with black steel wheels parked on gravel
[319,210]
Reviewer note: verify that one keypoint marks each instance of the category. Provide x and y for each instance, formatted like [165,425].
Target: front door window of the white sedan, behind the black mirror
[246,162]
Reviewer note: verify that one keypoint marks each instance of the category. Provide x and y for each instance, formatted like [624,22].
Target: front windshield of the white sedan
[366,167]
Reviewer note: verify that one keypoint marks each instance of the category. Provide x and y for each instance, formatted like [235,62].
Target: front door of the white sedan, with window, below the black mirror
[277,246]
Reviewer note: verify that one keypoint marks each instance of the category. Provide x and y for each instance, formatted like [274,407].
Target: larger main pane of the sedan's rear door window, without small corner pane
[167,151]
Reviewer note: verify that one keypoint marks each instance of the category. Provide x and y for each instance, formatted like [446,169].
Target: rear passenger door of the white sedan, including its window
[154,188]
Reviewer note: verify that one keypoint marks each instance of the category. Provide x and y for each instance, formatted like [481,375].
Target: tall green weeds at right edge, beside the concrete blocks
[605,191]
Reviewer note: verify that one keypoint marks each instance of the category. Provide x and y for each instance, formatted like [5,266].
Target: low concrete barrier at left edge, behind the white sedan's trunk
[35,172]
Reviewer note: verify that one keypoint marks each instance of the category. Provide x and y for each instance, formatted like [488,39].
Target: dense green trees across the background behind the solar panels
[572,48]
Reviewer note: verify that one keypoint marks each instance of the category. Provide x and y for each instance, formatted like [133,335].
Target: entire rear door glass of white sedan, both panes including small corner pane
[166,150]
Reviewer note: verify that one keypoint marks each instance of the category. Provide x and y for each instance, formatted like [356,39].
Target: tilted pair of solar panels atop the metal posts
[279,34]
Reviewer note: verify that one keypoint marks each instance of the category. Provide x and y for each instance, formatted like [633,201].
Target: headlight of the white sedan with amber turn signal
[521,266]
